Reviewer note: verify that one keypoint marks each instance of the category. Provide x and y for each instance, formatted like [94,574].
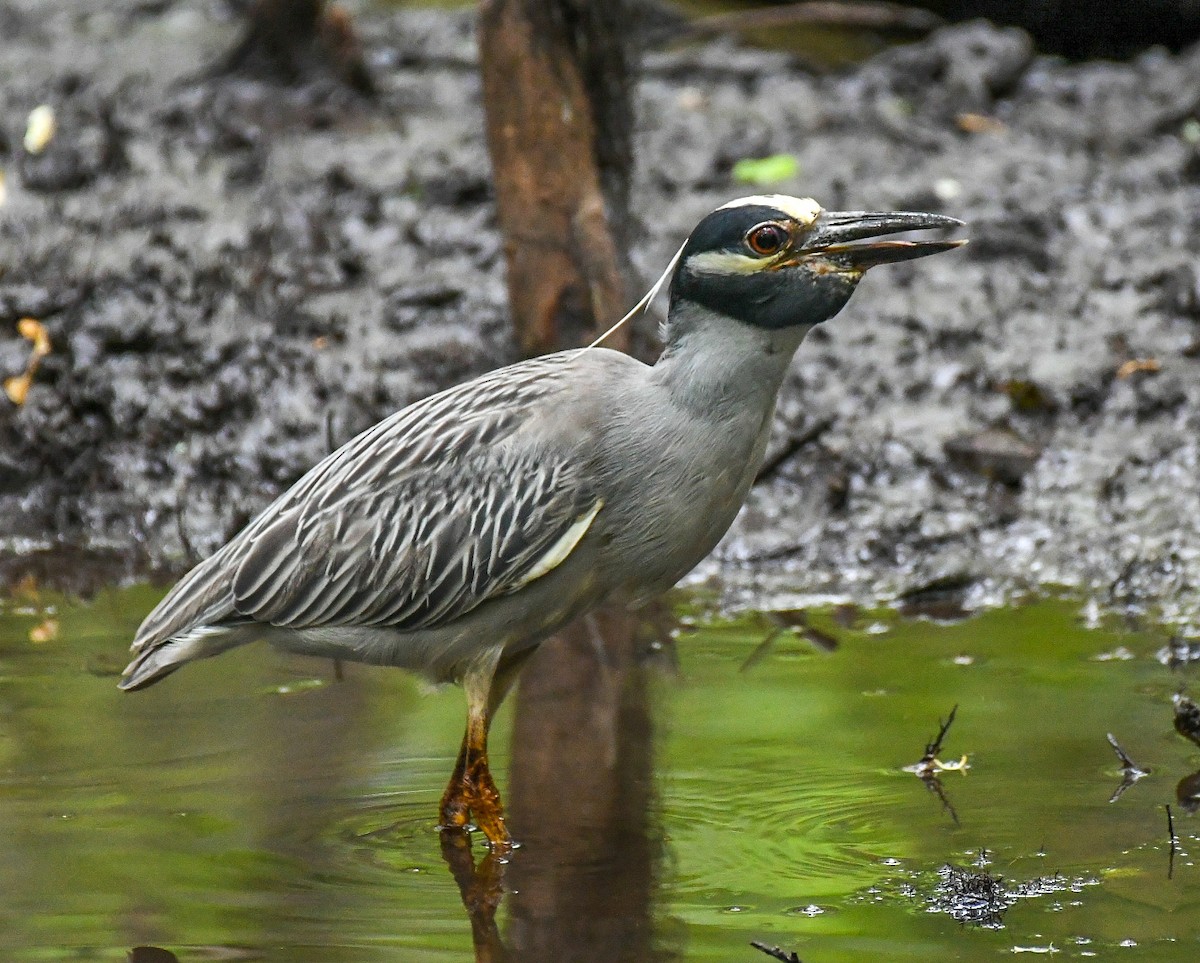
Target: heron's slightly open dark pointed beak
[845,240]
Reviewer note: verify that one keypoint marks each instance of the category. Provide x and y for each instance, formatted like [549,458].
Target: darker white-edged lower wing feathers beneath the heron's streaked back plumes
[417,554]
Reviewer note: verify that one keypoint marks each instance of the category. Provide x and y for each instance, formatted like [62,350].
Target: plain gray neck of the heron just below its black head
[715,364]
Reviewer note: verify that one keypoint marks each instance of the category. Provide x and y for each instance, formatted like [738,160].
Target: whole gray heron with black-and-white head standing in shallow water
[455,536]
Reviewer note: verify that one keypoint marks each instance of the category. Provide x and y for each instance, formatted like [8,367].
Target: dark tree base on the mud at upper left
[297,40]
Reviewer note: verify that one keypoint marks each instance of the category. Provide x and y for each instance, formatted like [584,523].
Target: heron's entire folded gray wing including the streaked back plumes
[412,524]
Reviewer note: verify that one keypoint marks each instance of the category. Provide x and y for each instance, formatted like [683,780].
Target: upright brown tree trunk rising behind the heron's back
[560,123]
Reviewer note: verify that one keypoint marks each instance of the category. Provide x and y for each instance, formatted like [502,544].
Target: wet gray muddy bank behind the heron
[233,279]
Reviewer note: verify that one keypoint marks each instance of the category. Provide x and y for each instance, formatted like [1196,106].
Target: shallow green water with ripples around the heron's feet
[254,808]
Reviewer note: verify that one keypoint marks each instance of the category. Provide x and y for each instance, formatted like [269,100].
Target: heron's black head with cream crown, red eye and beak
[784,262]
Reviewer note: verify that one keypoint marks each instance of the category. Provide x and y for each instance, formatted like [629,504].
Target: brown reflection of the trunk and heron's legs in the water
[580,789]
